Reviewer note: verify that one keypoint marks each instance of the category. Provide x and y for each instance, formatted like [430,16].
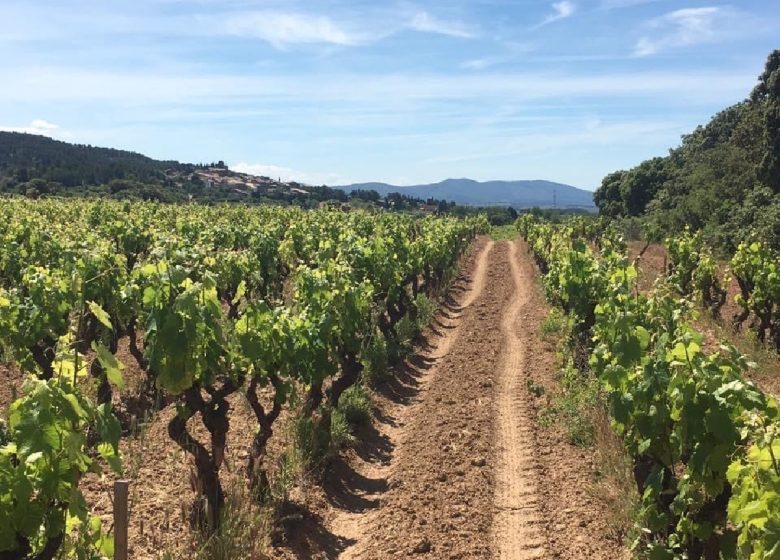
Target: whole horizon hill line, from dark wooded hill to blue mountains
[39,166]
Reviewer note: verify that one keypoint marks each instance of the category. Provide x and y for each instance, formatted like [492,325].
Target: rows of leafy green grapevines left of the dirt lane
[281,305]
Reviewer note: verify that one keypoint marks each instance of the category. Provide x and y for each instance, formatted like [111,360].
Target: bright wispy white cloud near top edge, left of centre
[281,29]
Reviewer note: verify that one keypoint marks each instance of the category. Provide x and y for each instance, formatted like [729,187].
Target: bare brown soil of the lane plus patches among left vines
[455,465]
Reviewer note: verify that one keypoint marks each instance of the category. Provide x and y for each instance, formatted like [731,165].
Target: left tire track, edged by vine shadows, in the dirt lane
[353,525]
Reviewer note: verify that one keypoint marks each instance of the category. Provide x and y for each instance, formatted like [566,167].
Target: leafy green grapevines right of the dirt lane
[703,440]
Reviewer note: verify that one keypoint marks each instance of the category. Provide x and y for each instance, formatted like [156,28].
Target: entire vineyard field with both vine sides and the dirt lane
[279,383]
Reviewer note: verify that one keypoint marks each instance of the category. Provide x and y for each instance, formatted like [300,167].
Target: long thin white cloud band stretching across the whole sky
[150,89]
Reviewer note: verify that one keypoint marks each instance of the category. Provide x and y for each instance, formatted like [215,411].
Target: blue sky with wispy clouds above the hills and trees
[405,92]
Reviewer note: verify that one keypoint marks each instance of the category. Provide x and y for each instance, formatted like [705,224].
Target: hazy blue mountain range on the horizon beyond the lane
[518,194]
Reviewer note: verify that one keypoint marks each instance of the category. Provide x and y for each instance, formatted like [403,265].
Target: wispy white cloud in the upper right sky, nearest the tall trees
[683,28]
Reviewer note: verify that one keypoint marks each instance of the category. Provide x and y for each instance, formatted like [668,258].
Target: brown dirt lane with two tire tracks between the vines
[457,465]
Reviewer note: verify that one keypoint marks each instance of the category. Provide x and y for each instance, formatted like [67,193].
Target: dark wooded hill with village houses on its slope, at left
[36,166]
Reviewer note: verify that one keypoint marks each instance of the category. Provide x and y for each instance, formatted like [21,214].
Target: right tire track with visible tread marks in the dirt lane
[518,531]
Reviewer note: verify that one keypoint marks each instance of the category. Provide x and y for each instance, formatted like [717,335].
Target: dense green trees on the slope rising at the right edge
[724,179]
